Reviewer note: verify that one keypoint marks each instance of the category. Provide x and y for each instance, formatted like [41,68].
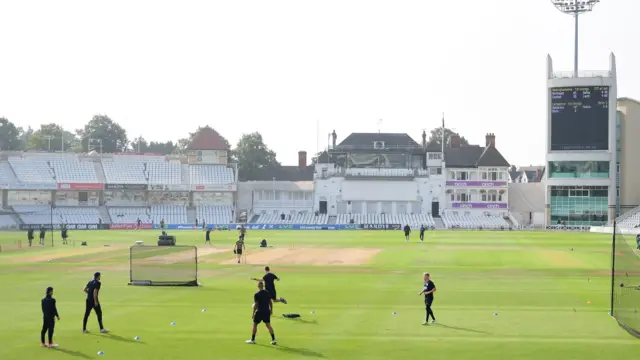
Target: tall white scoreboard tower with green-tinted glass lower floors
[580,180]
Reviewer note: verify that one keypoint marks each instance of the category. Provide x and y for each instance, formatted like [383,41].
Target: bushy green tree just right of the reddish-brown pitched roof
[252,154]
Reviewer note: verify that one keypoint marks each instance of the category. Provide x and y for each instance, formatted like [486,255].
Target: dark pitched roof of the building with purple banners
[474,156]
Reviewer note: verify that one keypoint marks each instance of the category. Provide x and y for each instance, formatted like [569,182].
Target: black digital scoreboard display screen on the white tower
[580,118]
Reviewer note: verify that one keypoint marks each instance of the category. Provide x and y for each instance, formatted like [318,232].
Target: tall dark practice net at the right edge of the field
[626,282]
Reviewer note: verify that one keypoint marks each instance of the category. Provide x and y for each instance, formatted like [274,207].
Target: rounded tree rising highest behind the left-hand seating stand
[103,133]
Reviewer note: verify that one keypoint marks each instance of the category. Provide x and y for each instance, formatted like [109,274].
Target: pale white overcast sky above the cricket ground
[295,70]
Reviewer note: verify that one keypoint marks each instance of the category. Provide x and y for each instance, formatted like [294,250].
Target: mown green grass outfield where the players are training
[530,279]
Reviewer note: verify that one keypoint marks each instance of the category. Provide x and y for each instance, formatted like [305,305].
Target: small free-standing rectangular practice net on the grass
[163,265]
